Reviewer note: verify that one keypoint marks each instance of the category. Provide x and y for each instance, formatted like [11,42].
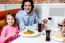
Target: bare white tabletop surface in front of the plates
[37,39]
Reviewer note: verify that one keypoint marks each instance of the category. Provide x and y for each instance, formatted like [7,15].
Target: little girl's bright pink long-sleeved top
[6,31]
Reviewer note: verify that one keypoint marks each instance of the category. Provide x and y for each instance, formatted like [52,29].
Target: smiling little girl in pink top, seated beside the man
[10,30]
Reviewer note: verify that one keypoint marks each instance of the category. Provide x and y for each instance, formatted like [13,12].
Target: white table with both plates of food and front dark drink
[46,36]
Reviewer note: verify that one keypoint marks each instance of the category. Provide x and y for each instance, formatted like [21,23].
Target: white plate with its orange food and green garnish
[29,33]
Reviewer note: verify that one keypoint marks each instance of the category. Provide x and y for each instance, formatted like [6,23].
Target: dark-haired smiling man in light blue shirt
[26,17]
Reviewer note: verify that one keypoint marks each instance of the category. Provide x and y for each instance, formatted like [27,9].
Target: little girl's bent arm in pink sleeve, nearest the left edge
[4,35]
